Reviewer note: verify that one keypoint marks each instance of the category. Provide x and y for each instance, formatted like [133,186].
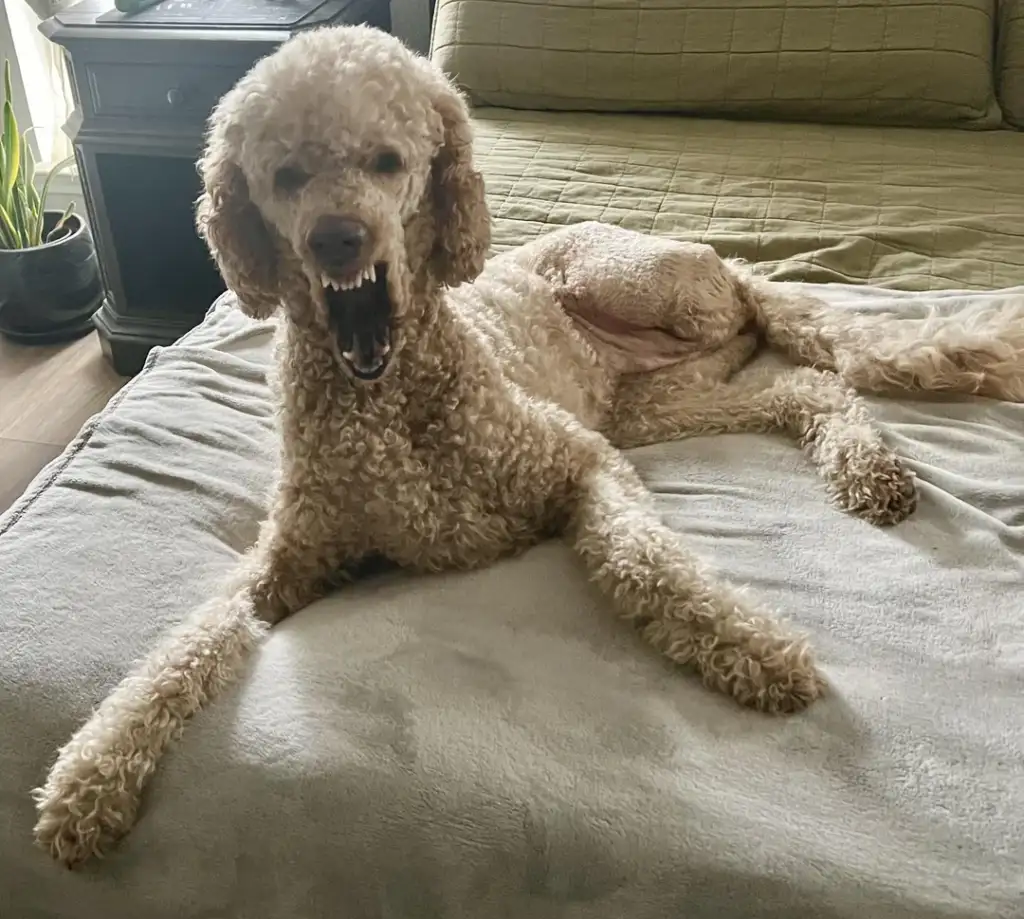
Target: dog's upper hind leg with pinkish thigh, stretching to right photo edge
[648,303]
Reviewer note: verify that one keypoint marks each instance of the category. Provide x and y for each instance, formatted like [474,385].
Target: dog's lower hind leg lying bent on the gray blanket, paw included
[862,474]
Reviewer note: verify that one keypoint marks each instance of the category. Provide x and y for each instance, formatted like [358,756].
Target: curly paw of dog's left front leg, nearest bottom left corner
[82,812]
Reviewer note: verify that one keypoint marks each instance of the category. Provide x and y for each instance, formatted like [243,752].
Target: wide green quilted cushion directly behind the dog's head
[884,62]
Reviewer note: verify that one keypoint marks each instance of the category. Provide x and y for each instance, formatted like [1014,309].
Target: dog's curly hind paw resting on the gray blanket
[871,482]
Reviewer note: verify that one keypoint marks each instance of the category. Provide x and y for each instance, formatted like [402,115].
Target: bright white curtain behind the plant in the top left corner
[44,76]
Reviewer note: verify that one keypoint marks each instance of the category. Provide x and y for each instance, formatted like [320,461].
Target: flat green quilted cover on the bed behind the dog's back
[893,207]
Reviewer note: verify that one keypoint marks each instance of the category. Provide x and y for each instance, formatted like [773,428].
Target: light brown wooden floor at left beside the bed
[47,395]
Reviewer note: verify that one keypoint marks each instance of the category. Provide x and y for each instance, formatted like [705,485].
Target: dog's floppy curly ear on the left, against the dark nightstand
[237,236]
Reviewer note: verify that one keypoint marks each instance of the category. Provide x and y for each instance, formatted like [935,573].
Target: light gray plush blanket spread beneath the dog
[496,744]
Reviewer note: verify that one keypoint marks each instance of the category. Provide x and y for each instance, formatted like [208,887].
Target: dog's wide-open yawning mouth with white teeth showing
[360,314]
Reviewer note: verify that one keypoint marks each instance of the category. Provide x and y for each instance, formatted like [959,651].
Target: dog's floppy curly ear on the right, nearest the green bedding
[461,219]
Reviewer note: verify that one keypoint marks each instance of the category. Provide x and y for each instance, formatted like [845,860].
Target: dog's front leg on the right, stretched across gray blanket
[680,608]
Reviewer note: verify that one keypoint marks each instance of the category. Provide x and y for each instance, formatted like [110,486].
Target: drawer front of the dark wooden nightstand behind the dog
[158,92]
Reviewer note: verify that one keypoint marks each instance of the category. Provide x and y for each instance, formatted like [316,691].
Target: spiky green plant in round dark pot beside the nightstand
[50,277]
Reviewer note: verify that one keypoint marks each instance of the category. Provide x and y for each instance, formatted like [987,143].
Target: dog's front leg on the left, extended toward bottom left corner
[92,796]
